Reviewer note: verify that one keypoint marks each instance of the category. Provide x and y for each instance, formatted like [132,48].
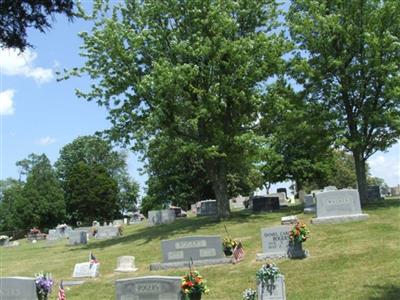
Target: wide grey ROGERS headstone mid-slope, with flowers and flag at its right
[204,250]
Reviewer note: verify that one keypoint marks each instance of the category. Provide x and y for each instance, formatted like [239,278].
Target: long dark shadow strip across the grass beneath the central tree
[188,226]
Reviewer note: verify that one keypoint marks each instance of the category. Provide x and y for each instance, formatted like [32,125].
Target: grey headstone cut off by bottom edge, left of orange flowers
[149,288]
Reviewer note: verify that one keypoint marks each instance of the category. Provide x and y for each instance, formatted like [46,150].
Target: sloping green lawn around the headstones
[359,260]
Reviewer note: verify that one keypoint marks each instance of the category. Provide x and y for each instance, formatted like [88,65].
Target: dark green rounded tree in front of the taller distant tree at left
[91,194]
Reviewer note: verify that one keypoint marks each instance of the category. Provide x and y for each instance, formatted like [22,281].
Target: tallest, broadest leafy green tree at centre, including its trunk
[189,69]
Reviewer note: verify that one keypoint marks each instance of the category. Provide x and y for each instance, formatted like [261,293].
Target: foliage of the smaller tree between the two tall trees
[300,137]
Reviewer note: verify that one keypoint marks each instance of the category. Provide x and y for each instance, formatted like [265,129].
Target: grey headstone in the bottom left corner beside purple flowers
[17,288]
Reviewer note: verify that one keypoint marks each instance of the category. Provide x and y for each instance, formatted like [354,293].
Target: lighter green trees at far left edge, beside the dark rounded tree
[38,202]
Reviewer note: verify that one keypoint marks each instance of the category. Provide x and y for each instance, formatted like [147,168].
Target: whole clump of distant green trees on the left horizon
[88,182]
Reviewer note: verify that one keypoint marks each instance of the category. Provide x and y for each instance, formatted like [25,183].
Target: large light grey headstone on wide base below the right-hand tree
[338,206]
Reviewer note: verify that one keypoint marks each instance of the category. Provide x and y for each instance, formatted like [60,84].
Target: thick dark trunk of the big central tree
[217,170]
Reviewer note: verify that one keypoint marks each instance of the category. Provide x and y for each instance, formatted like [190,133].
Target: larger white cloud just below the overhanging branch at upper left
[13,62]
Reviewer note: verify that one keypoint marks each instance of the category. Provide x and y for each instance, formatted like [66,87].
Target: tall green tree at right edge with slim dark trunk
[348,58]
